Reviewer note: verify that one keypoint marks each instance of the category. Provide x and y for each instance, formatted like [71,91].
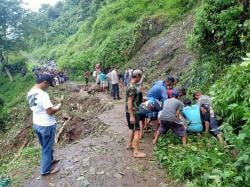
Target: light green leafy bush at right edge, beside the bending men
[231,99]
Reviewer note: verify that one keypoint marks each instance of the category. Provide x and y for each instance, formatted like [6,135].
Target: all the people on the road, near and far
[163,108]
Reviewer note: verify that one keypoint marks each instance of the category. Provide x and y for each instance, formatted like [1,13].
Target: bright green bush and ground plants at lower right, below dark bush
[203,162]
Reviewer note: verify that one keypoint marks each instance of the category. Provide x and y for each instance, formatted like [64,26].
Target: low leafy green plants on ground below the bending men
[202,163]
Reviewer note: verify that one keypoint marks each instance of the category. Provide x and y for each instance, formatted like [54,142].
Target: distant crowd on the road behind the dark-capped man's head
[59,77]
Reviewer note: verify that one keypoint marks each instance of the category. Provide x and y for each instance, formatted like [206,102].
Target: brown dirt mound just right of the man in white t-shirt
[78,116]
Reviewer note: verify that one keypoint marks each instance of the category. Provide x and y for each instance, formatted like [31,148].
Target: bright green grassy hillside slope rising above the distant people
[112,34]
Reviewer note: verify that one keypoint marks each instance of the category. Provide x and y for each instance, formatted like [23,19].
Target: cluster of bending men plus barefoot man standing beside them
[165,108]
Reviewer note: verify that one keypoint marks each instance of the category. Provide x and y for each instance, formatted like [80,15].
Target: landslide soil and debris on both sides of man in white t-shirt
[77,118]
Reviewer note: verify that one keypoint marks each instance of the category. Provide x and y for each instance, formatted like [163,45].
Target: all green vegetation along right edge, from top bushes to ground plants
[221,36]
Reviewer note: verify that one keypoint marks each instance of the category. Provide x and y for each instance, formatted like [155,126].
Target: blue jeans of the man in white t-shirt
[46,137]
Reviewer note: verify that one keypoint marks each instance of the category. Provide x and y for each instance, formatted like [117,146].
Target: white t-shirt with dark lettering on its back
[39,101]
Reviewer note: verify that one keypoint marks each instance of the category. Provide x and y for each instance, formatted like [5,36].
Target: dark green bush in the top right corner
[221,29]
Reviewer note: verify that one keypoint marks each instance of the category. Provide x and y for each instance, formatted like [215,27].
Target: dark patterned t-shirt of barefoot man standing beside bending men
[133,91]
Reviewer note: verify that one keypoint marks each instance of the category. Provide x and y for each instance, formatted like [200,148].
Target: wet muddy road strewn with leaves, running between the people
[101,159]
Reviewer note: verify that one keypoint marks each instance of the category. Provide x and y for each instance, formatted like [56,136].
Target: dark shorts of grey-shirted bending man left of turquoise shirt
[178,129]
